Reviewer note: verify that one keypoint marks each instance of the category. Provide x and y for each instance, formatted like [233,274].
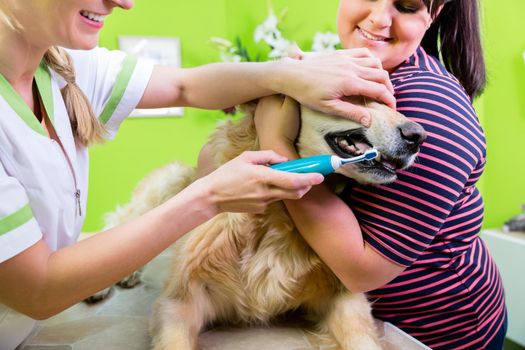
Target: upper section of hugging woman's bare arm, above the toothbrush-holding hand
[277,121]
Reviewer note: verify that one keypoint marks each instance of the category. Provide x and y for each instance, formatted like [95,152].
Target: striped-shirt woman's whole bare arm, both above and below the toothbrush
[325,221]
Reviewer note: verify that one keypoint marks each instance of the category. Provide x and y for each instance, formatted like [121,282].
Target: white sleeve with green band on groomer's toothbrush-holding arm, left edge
[18,228]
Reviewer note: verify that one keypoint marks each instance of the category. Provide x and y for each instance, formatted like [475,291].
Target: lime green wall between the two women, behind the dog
[145,144]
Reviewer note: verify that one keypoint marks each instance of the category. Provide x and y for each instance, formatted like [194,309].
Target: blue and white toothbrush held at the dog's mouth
[324,164]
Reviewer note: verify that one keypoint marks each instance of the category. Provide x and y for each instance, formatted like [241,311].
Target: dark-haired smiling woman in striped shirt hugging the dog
[413,245]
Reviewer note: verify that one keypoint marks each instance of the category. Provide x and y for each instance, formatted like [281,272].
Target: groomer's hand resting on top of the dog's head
[321,80]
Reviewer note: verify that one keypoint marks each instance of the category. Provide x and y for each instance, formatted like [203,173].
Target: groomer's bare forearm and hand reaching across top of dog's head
[321,81]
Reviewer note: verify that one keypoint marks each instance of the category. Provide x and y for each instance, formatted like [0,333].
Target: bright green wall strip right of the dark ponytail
[504,110]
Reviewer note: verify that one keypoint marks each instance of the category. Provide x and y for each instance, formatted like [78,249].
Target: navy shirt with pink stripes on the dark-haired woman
[450,296]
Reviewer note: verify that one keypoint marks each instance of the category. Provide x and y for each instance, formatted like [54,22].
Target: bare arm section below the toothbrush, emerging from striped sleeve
[332,230]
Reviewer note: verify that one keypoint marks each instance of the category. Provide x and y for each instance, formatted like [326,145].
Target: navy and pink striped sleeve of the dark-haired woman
[401,219]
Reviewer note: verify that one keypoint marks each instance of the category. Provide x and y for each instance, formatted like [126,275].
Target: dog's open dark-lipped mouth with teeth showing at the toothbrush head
[351,143]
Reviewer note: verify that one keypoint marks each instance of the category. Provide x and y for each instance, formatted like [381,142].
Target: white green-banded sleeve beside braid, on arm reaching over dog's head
[113,81]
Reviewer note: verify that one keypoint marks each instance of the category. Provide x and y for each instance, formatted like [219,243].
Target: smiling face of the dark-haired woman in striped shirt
[391,29]
